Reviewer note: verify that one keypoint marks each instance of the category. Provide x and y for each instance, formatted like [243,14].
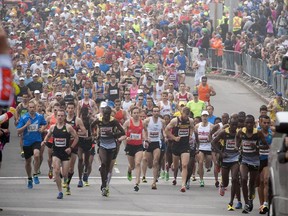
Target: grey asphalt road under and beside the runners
[16,199]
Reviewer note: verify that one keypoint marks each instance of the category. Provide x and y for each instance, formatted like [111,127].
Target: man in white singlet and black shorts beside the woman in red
[153,132]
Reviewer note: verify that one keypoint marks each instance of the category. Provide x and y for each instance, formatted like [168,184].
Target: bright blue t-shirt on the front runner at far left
[31,134]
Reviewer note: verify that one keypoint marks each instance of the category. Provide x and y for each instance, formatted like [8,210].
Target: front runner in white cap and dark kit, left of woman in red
[108,130]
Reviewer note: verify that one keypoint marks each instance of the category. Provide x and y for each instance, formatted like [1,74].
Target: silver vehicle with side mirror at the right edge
[278,167]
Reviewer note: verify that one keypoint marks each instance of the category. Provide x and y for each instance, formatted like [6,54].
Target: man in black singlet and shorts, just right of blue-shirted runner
[62,149]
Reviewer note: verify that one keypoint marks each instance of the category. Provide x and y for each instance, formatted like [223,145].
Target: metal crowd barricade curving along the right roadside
[232,63]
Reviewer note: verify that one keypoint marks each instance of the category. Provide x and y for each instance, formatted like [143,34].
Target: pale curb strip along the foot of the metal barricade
[242,82]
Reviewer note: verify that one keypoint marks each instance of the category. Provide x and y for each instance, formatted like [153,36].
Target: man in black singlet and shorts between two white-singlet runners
[183,128]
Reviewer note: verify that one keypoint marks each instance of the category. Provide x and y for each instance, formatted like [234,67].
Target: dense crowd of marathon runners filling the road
[92,76]
